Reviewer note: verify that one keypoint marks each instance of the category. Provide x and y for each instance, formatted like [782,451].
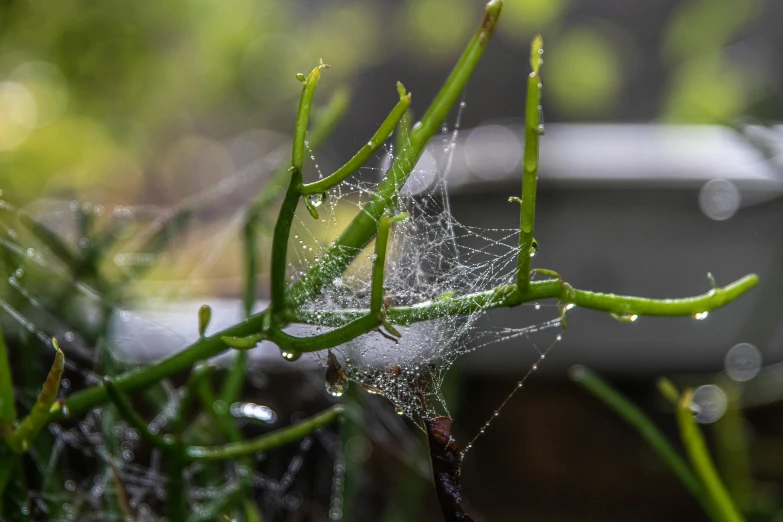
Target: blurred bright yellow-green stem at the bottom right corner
[700,458]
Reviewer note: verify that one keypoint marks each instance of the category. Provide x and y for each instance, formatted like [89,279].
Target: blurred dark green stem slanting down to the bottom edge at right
[649,432]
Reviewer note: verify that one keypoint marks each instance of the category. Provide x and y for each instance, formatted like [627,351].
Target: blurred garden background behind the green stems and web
[661,161]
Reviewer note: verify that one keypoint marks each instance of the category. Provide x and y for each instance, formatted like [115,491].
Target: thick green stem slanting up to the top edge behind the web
[363,227]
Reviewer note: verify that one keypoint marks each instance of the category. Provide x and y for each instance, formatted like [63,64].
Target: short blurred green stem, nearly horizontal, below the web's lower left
[266,442]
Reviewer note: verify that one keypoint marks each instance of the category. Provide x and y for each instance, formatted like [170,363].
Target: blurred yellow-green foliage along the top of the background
[99,91]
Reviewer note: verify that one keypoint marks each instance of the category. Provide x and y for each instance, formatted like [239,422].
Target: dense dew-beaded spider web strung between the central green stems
[431,256]
